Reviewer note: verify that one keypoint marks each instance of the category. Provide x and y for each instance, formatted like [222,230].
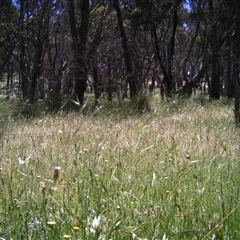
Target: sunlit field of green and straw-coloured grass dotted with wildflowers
[172,173]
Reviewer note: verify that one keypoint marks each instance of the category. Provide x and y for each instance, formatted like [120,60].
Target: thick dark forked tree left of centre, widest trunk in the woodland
[82,19]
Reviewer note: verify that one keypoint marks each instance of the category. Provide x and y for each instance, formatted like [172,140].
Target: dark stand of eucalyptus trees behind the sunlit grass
[62,49]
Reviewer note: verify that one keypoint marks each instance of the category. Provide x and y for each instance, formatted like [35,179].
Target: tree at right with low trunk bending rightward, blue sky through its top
[196,60]
